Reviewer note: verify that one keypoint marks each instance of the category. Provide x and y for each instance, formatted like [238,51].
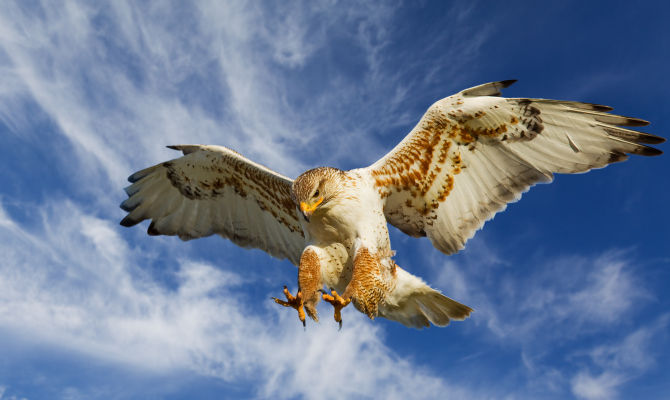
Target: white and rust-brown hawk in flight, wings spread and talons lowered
[469,155]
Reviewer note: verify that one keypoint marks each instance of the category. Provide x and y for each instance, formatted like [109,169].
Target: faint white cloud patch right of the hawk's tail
[558,298]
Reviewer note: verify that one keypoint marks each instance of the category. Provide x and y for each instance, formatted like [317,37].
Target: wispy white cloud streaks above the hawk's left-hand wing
[121,80]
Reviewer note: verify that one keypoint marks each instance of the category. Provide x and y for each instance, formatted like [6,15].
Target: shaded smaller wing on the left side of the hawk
[212,189]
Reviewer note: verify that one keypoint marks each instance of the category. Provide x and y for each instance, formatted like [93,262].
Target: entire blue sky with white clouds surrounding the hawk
[570,286]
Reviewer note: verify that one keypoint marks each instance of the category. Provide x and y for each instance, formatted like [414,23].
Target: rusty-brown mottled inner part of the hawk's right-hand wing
[420,172]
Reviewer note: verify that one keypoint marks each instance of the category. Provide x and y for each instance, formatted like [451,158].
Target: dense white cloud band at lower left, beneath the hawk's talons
[74,283]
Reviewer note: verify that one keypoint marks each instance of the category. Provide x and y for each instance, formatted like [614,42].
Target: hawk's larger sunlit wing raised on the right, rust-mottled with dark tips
[474,152]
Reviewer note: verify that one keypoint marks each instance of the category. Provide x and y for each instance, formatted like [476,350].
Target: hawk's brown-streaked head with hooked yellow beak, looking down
[314,189]
